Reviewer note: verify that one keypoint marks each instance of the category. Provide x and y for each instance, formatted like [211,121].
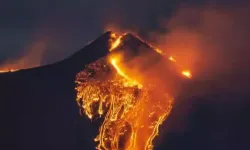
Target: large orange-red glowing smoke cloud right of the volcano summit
[211,40]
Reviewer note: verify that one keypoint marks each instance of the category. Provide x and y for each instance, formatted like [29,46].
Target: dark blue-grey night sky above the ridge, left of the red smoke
[64,26]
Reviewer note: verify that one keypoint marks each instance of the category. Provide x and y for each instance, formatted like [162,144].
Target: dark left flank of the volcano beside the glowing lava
[38,108]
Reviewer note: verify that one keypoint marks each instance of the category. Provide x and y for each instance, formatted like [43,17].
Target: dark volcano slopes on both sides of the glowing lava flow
[39,111]
